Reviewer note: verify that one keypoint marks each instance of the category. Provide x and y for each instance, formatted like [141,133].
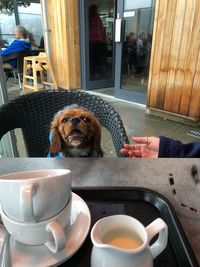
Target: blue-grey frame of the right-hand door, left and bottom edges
[132,96]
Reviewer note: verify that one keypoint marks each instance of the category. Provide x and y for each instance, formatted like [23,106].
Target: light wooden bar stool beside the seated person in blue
[33,65]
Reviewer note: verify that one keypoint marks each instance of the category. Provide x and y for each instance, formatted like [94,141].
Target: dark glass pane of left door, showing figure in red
[101,21]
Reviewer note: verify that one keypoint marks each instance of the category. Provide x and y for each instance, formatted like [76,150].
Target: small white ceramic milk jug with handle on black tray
[113,256]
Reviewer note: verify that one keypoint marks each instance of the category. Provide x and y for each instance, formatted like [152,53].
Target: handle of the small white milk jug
[157,227]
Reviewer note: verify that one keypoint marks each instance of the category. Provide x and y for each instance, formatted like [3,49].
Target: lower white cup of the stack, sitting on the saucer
[50,232]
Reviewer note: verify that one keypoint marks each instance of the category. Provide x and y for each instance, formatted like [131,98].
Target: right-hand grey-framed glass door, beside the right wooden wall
[133,37]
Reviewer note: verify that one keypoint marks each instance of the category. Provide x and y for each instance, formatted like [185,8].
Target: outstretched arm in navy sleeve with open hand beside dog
[160,147]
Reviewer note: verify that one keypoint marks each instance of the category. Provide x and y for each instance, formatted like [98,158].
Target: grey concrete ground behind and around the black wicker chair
[137,122]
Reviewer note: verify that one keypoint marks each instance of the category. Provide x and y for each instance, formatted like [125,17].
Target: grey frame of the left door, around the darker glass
[86,84]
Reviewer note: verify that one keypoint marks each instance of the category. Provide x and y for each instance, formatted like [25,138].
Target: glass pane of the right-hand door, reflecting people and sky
[138,27]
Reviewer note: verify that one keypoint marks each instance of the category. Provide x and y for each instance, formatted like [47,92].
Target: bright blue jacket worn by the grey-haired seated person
[15,46]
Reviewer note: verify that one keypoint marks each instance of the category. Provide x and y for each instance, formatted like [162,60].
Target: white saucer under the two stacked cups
[39,256]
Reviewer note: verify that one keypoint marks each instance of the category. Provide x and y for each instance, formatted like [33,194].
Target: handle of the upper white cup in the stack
[26,202]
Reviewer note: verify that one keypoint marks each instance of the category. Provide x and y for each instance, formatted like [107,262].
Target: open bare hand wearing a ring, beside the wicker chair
[144,147]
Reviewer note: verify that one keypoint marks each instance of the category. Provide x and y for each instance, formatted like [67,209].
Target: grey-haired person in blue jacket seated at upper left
[24,40]
